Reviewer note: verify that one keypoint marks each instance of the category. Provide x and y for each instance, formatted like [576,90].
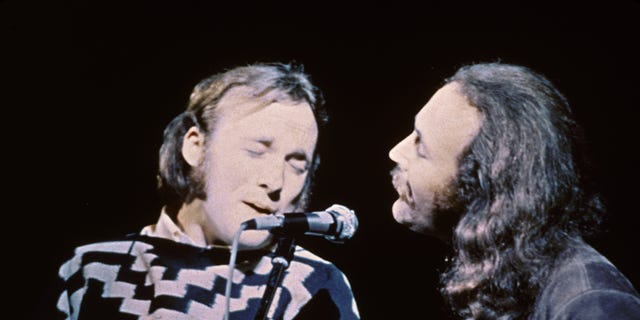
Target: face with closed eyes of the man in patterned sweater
[256,163]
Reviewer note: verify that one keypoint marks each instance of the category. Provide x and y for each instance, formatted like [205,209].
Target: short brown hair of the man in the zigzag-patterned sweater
[262,83]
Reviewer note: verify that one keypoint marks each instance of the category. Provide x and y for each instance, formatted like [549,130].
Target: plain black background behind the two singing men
[91,87]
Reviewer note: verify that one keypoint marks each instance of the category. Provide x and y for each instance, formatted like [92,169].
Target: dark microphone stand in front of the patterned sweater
[280,261]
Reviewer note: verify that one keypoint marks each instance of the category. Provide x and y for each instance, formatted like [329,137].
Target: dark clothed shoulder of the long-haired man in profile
[586,283]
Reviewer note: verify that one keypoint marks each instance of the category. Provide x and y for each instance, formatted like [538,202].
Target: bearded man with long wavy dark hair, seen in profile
[495,167]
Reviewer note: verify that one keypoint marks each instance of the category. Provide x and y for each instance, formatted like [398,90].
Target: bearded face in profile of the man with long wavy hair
[427,161]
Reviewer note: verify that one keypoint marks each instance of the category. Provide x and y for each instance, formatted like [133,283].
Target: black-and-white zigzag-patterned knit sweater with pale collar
[141,277]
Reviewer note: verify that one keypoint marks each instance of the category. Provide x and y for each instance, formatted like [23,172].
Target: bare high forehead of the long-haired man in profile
[448,119]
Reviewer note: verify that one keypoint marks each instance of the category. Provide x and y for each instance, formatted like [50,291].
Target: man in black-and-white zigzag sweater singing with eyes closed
[244,148]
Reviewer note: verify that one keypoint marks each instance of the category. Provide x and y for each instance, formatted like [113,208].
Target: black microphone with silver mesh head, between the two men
[337,223]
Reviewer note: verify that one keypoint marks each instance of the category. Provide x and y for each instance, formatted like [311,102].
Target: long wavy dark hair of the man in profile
[525,195]
